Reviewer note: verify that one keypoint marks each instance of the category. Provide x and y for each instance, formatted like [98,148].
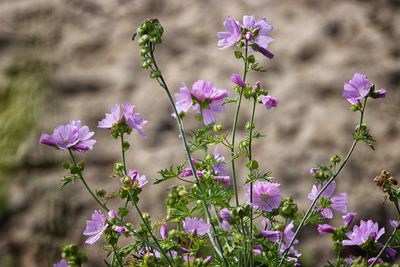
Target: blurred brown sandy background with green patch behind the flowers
[74,59]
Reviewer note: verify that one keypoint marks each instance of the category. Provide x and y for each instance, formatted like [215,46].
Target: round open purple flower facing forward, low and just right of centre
[266,195]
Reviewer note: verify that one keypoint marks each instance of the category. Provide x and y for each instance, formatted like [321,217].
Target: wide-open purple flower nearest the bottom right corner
[361,234]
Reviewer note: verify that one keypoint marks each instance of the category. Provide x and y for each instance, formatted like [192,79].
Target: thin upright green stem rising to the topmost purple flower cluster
[234,127]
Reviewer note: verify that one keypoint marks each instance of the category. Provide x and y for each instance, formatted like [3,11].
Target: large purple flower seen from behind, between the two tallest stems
[204,99]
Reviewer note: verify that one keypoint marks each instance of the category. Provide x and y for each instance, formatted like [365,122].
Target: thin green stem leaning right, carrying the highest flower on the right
[313,204]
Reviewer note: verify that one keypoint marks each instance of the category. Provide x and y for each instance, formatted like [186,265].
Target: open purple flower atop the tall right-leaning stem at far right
[357,88]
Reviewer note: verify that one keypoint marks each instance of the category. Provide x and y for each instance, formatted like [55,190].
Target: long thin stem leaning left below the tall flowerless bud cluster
[163,84]
